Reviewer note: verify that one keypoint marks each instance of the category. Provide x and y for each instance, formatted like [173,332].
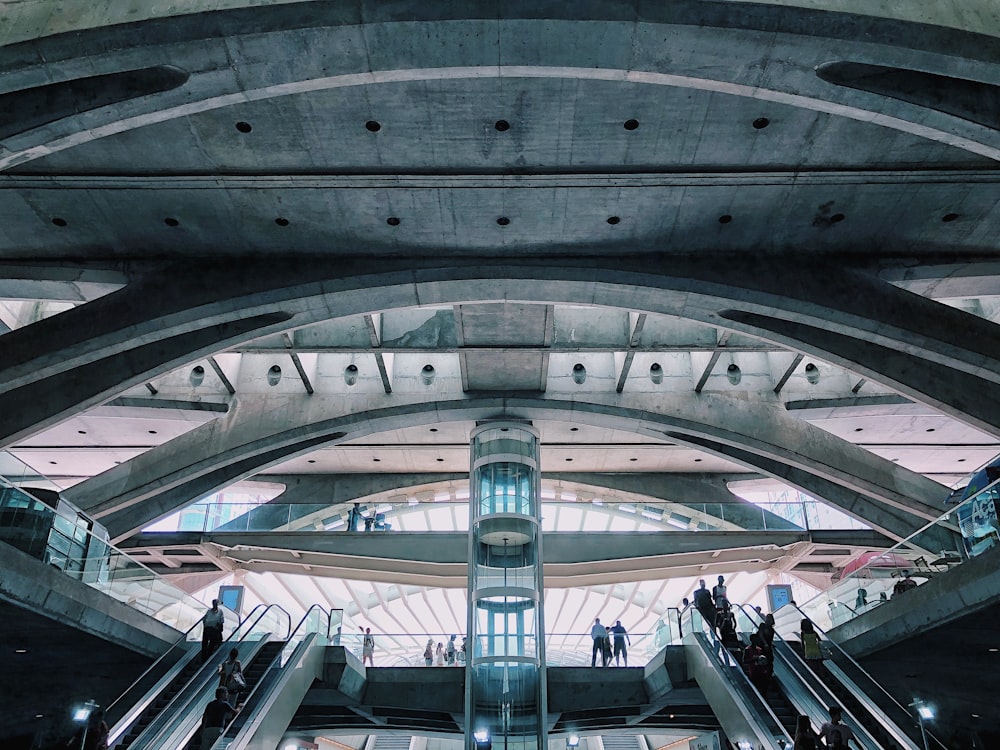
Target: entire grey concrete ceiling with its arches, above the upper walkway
[699,237]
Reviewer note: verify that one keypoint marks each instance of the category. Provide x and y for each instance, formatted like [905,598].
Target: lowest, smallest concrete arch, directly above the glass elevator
[264,431]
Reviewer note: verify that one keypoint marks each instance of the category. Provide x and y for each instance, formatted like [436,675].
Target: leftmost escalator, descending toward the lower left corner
[169,713]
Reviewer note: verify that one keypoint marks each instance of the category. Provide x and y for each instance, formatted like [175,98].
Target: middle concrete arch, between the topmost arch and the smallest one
[846,317]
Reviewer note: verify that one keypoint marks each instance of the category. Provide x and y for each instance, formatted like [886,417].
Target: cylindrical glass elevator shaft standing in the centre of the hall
[505,705]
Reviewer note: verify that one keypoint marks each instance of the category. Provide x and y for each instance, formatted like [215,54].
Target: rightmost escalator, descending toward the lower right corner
[812,688]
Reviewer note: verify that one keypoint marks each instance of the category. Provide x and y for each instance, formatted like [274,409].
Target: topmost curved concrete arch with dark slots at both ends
[233,65]
